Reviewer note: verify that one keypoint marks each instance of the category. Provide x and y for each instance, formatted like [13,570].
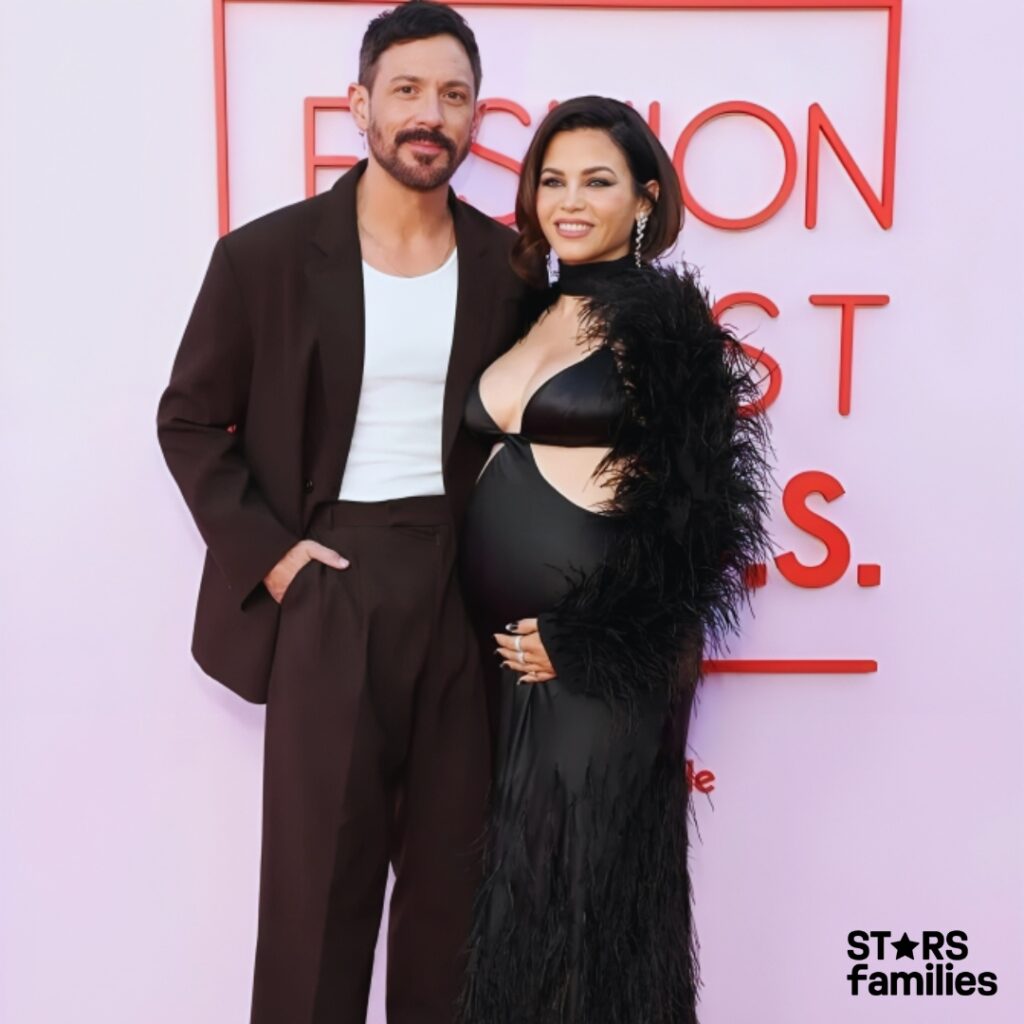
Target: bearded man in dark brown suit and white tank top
[313,422]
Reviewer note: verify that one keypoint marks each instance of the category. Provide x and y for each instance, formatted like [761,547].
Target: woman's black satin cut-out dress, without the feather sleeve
[583,917]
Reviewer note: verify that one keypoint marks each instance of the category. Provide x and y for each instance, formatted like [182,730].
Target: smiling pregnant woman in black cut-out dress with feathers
[606,546]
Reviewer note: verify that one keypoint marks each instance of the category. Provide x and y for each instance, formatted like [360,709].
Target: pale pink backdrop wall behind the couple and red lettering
[893,800]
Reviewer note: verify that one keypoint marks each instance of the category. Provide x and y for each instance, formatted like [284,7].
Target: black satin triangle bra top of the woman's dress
[579,407]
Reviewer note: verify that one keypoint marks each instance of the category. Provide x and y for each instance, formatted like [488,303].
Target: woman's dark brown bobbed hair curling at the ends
[645,155]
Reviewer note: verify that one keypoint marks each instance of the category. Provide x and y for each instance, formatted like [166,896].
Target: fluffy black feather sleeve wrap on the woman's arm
[692,489]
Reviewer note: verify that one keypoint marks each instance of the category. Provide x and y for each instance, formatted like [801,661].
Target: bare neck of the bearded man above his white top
[395,214]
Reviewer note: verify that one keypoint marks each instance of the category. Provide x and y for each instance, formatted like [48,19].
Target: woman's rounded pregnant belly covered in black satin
[523,540]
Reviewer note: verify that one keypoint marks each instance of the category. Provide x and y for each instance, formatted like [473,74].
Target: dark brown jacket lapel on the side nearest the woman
[473,325]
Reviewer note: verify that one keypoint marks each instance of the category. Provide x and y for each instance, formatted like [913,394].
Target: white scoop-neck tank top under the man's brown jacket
[397,445]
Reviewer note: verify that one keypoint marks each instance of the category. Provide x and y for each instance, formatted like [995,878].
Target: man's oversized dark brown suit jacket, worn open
[258,420]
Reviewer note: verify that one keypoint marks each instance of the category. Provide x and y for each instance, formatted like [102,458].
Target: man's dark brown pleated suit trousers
[377,753]
